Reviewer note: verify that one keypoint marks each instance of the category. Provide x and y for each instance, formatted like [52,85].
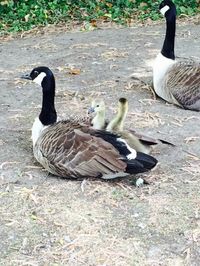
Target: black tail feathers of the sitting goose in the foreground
[142,163]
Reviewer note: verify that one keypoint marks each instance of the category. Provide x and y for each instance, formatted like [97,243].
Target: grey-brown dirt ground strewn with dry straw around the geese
[45,220]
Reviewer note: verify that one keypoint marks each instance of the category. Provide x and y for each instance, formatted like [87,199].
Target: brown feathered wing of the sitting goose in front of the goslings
[72,151]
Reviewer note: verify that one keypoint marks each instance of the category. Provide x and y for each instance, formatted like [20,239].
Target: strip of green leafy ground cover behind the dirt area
[27,14]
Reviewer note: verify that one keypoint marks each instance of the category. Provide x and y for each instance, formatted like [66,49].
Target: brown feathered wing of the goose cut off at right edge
[183,81]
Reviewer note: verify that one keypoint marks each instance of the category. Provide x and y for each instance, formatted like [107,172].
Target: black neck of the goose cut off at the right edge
[168,46]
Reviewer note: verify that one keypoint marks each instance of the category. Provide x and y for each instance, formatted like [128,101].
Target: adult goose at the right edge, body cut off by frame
[175,82]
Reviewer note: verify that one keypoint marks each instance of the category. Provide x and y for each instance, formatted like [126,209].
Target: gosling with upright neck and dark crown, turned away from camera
[136,141]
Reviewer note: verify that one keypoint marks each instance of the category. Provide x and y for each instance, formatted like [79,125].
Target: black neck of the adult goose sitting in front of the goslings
[48,114]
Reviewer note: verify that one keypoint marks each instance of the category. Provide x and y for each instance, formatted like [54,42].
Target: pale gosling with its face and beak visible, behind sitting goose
[98,110]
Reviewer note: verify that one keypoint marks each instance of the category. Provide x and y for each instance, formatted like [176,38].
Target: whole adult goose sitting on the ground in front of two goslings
[71,149]
